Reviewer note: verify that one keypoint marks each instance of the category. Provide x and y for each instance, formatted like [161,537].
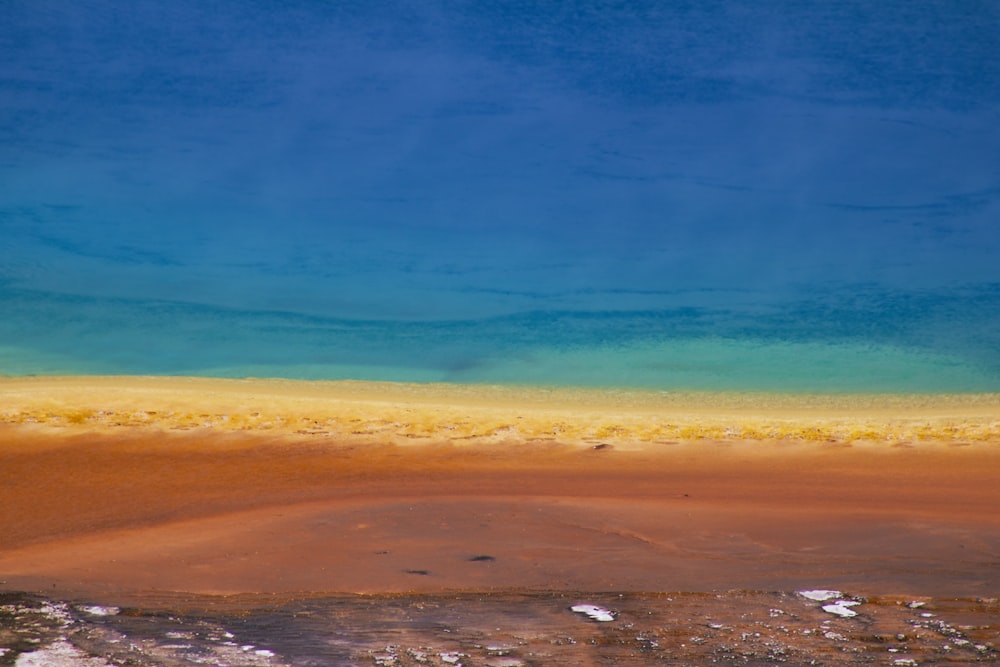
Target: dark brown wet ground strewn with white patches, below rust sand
[501,630]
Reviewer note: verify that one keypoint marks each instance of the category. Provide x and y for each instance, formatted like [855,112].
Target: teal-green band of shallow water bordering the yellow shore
[926,344]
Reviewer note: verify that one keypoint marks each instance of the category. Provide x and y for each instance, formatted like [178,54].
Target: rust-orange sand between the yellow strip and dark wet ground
[208,512]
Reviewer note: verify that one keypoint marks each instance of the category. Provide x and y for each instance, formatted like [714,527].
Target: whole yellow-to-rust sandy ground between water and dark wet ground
[111,485]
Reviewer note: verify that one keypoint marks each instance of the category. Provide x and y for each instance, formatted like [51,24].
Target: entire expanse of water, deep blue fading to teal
[733,195]
